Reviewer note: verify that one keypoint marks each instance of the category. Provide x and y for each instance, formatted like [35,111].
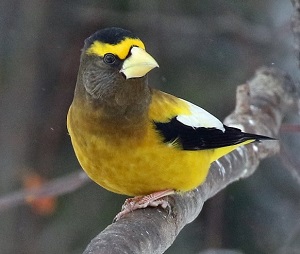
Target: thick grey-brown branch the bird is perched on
[261,106]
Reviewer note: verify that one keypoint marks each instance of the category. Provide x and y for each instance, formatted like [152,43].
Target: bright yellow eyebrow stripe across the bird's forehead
[120,49]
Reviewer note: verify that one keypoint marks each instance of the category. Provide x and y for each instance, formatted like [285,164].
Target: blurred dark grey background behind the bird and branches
[204,49]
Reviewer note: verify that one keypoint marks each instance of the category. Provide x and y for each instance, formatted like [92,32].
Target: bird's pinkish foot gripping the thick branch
[154,199]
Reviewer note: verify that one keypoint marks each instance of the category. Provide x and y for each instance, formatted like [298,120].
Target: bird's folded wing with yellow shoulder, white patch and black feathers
[191,127]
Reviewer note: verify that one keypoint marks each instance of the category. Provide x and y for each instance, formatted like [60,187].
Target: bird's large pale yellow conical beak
[138,64]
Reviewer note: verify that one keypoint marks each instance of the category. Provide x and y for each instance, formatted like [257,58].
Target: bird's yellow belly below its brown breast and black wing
[134,167]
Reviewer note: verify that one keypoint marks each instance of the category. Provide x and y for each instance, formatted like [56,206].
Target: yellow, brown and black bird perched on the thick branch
[133,139]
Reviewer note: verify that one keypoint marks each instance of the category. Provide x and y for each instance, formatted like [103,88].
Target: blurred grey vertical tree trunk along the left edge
[24,21]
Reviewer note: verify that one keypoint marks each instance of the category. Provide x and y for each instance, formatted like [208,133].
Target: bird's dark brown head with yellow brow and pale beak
[113,62]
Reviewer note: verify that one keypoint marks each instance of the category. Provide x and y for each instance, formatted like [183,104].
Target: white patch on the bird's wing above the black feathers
[200,118]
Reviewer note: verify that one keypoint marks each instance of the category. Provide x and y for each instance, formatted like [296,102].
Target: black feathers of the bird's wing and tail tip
[190,138]
